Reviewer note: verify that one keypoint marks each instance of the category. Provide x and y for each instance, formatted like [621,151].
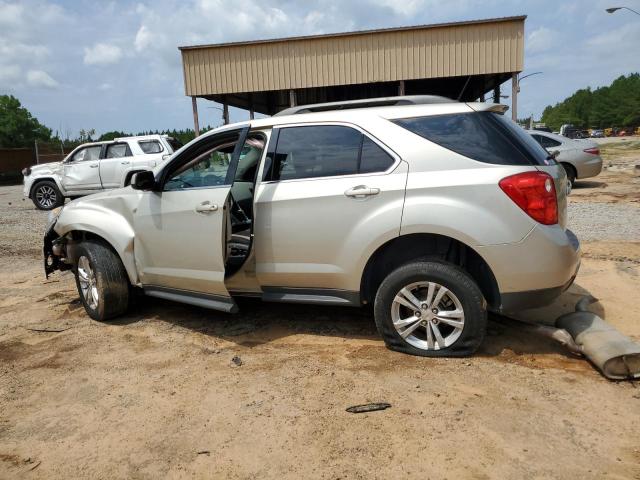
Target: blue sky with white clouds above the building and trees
[115,65]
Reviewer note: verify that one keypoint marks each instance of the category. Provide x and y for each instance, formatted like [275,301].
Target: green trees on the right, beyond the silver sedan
[617,105]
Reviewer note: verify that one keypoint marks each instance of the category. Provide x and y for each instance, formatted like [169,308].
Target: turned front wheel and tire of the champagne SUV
[101,280]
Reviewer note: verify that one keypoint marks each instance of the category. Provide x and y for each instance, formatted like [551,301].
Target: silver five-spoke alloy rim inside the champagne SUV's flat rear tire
[427,315]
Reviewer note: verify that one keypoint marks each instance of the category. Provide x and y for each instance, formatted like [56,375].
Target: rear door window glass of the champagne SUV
[325,151]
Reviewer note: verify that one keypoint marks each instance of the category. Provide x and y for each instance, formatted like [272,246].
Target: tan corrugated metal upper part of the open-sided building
[492,47]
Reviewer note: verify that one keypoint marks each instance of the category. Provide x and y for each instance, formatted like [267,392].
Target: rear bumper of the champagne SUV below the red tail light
[534,272]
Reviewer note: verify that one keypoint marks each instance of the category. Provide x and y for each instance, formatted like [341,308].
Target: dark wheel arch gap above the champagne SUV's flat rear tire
[410,247]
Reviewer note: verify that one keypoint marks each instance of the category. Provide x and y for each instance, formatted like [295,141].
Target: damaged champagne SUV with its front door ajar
[431,211]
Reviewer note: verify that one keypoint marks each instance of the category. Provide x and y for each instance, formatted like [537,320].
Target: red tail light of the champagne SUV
[535,193]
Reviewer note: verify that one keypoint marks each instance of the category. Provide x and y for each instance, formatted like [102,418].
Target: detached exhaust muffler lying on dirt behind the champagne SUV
[584,333]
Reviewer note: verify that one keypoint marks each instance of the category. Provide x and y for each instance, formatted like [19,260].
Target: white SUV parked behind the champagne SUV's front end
[93,167]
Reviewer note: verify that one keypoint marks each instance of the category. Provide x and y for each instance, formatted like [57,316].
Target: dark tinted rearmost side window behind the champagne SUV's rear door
[483,136]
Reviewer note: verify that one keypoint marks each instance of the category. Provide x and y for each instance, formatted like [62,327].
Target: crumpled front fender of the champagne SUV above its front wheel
[107,217]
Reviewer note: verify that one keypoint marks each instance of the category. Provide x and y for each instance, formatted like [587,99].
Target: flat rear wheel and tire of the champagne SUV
[431,309]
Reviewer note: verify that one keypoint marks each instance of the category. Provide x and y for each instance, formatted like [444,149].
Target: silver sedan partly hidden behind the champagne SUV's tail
[580,158]
